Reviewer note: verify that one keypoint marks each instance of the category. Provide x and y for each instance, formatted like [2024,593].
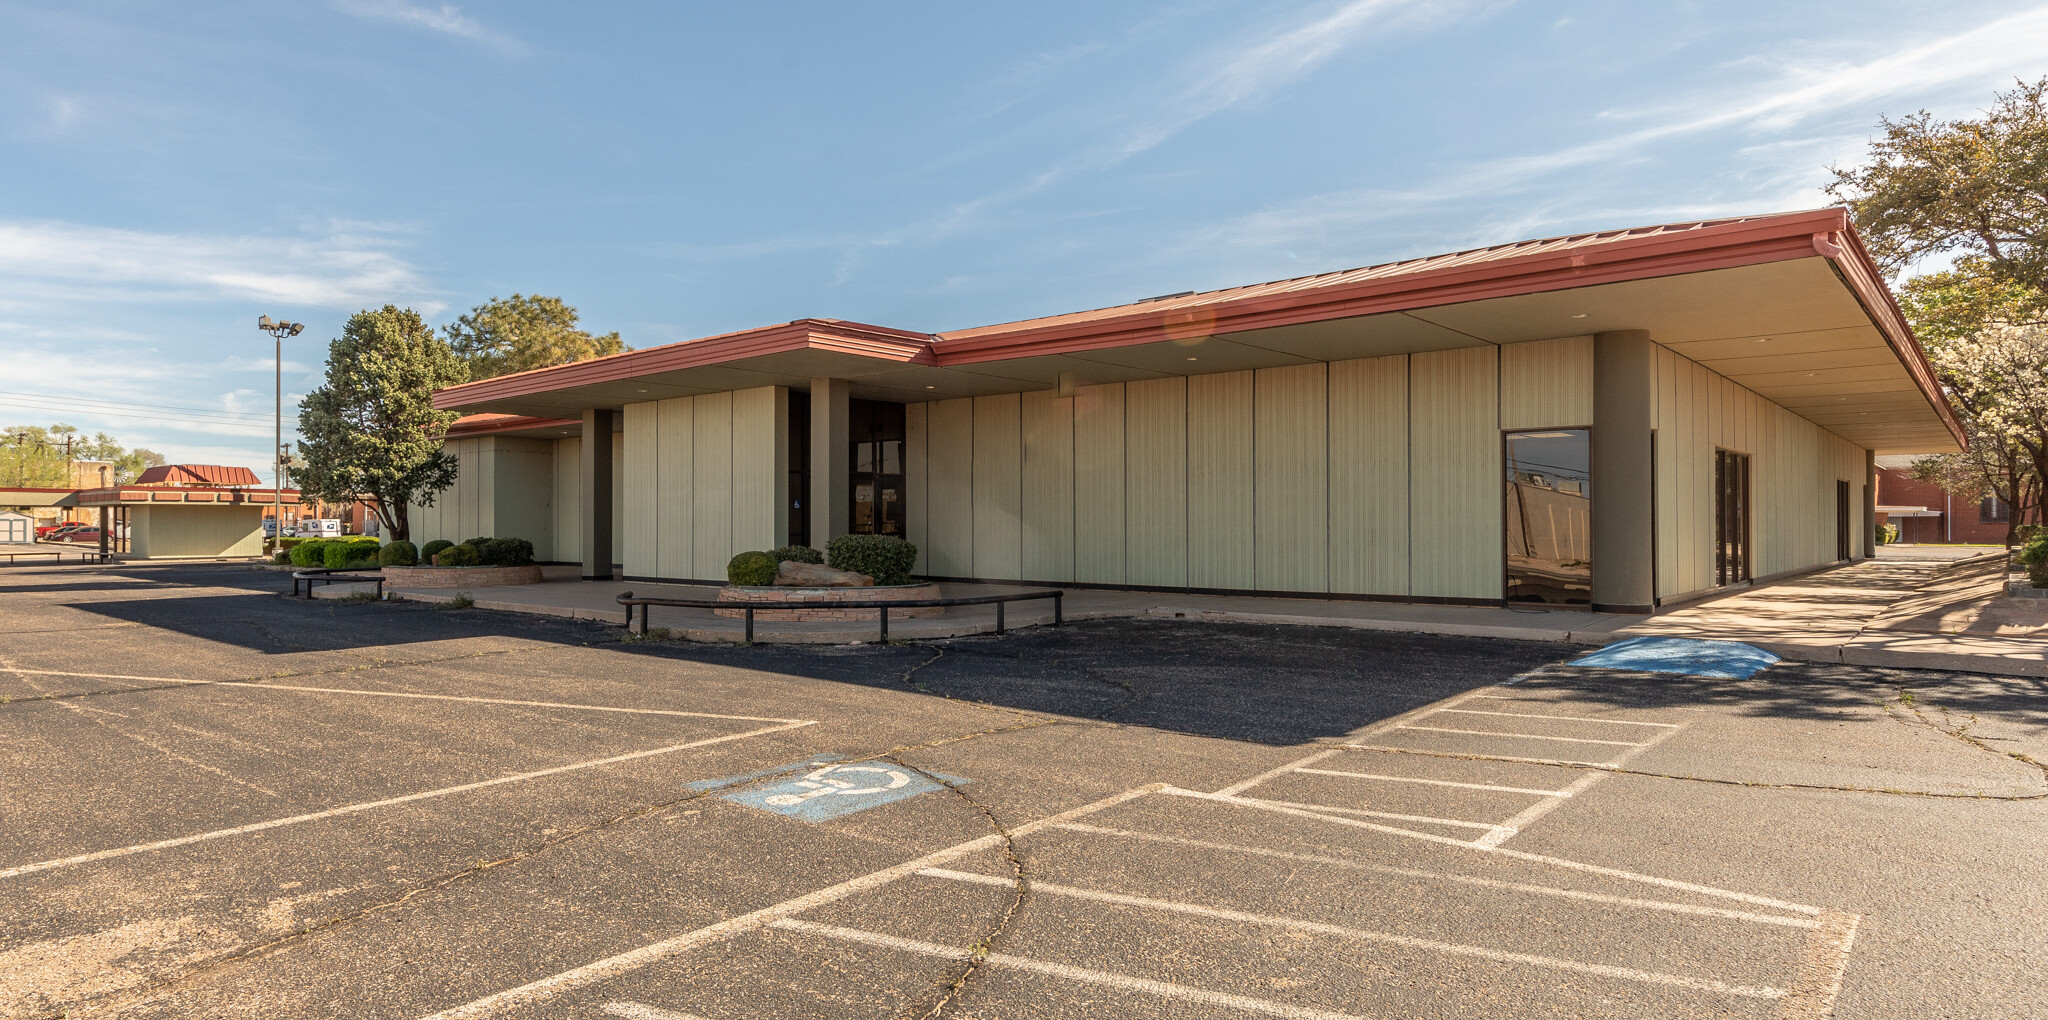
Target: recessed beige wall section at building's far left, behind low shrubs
[505,488]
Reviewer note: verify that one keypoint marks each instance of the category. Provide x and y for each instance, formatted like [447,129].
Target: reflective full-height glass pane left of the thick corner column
[1547,517]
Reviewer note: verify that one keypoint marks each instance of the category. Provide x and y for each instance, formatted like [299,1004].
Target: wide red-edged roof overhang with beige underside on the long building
[1789,306]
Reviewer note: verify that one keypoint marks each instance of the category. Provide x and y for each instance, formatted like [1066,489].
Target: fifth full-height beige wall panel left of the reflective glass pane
[1156,478]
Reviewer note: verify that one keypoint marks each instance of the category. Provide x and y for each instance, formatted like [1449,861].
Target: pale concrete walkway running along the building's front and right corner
[1918,613]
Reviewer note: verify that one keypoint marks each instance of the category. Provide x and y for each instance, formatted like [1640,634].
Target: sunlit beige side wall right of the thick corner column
[1793,466]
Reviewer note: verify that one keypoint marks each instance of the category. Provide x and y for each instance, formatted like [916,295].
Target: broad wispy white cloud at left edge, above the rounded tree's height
[337,271]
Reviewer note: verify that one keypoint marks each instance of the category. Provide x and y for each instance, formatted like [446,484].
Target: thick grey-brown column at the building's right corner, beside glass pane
[1625,478]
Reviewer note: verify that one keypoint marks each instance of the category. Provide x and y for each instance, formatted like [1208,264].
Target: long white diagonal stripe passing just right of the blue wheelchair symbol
[634,960]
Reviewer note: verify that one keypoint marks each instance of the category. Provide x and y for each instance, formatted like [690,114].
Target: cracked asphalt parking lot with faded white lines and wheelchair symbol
[224,804]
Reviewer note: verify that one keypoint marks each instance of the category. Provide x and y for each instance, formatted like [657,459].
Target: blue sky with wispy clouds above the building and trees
[173,171]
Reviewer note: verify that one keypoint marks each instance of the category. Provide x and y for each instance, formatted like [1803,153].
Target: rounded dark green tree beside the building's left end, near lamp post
[372,431]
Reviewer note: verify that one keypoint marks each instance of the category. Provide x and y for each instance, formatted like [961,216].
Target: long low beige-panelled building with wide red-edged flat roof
[1619,419]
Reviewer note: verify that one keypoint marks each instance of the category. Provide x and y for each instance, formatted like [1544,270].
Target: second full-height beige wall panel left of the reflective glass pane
[1369,507]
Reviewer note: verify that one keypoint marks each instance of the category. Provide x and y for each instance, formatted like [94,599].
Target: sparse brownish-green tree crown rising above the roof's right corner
[1973,187]
